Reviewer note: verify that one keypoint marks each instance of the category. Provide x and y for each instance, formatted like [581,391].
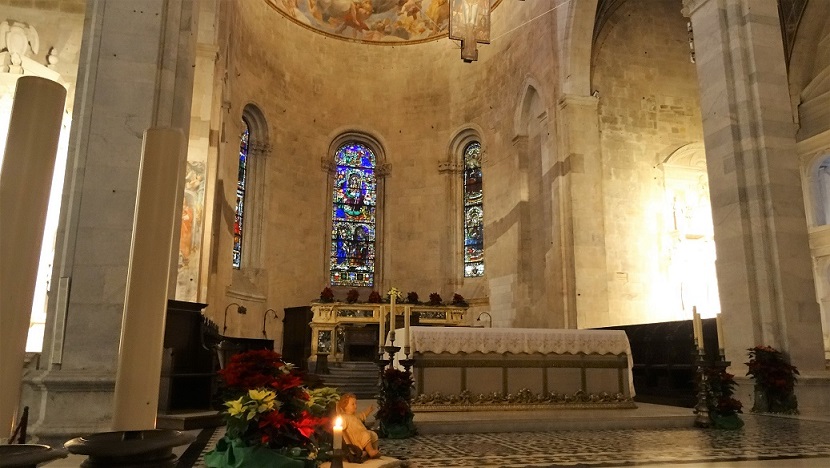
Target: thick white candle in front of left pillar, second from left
[142,331]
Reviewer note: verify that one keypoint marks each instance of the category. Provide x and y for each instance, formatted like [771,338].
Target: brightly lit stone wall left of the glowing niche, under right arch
[648,108]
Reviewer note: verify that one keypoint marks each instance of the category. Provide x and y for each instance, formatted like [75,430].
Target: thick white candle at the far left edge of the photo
[31,146]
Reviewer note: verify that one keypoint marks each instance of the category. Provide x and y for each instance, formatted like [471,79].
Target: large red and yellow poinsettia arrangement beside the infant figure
[272,418]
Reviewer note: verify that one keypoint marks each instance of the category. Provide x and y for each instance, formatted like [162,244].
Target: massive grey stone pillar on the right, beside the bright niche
[764,270]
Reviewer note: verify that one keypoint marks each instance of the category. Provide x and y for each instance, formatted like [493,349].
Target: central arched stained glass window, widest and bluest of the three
[353,217]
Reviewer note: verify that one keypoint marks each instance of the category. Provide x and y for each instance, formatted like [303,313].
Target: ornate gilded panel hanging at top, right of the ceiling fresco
[470,24]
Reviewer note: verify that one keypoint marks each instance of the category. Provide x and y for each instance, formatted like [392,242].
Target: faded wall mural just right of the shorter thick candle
[190,241]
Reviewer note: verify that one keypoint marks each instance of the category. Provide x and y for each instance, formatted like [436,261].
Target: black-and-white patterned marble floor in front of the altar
[768,441]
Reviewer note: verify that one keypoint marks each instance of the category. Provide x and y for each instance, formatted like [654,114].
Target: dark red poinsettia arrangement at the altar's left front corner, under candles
[394,404]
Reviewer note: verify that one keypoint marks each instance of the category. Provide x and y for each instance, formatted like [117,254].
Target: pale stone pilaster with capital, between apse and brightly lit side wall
[583,198]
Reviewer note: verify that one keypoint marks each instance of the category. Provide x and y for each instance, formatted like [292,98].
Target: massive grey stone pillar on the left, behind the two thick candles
[136,72]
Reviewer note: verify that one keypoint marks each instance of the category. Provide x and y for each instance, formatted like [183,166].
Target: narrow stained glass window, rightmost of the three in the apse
[473,212]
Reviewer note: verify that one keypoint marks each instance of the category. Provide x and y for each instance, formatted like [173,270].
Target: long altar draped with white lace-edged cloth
[463,369]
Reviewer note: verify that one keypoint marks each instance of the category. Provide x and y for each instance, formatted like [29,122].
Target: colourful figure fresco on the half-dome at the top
[388,22]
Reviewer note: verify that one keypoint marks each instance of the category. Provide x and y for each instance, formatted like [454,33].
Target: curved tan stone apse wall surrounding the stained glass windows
[412,99]
